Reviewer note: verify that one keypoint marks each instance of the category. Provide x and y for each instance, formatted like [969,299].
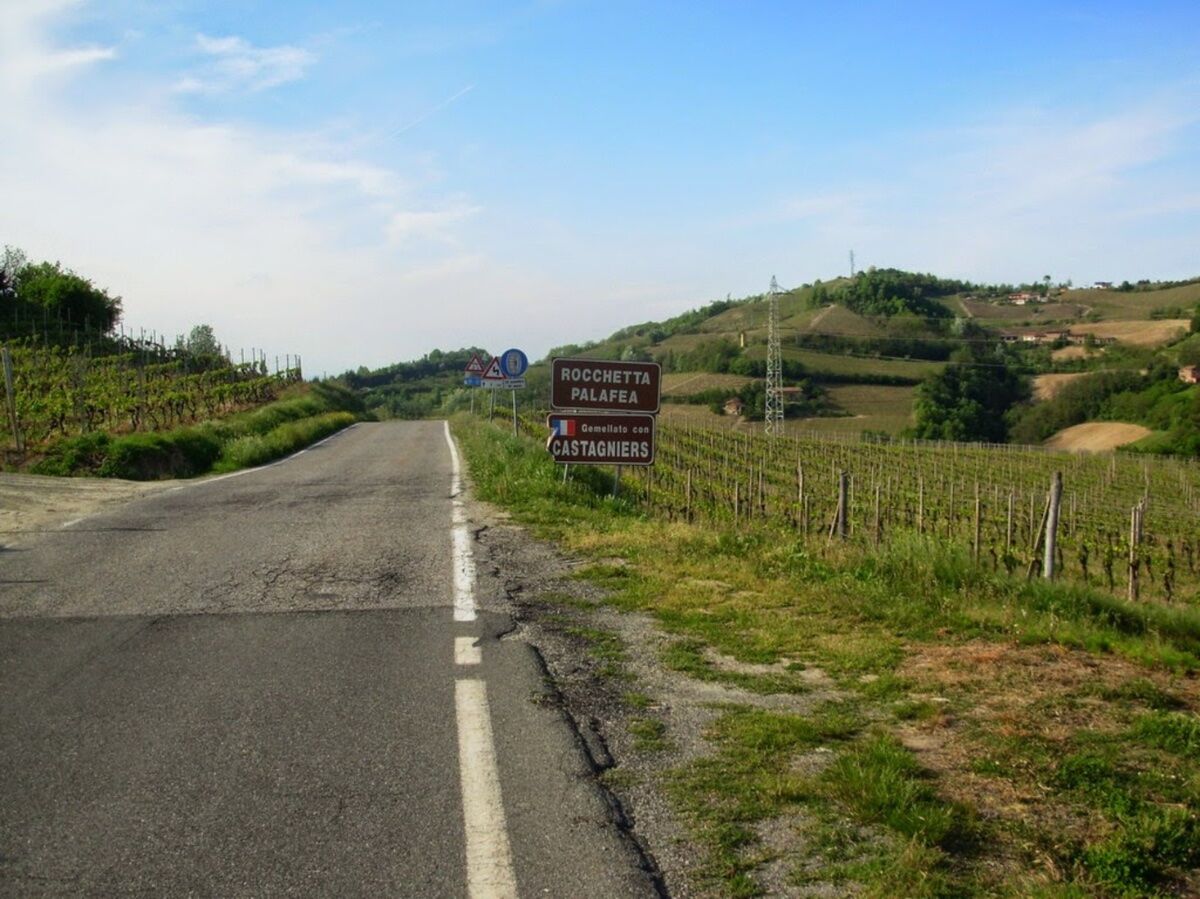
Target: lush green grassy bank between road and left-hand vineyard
[241,441]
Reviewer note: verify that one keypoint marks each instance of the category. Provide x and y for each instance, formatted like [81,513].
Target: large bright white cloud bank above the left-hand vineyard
[279,239]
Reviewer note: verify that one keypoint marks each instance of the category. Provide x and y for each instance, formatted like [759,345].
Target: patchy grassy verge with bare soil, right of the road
[994,736]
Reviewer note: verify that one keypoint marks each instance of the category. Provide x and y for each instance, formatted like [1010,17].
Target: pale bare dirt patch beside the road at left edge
[32,504]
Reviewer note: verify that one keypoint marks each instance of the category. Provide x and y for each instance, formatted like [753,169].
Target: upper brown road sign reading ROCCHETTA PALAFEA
[605,386]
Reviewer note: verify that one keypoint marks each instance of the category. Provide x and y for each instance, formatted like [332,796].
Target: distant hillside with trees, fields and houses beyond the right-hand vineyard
[897,353]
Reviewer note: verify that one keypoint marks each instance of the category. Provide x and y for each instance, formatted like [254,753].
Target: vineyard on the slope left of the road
[67,392]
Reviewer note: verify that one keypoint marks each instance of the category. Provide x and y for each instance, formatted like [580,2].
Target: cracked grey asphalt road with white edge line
[286,681]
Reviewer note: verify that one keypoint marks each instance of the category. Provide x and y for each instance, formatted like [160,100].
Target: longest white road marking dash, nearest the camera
[489,856]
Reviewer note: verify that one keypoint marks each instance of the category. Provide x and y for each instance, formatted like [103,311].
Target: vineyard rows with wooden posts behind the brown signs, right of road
[1129,525]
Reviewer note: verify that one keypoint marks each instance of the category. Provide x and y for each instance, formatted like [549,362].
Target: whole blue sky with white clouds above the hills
[362,183]
